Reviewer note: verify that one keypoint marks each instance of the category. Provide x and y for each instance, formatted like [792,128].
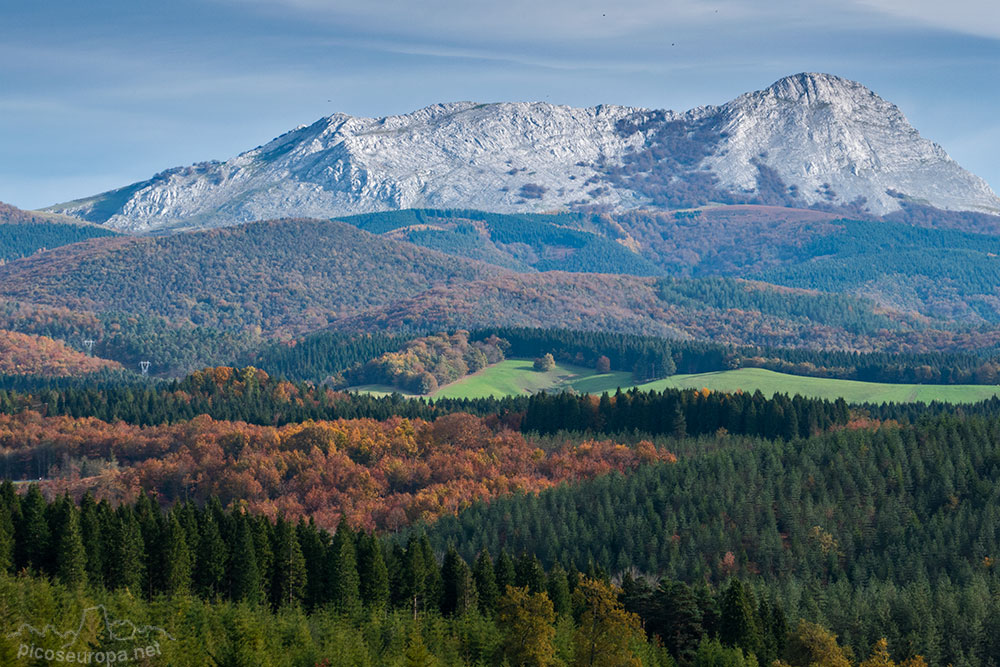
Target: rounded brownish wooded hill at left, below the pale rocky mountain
[289,276]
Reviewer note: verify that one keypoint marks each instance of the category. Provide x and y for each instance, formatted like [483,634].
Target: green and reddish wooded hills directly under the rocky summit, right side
[941,272]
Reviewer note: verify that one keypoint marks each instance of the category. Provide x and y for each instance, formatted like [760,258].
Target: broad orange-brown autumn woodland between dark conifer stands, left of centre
[378,474]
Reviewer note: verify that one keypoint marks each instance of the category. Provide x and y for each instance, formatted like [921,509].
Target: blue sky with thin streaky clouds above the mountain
[99,94]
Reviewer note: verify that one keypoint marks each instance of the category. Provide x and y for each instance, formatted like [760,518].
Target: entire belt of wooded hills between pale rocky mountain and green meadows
[290,277]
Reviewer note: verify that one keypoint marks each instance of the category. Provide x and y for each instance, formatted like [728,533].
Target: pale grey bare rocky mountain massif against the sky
[809,139]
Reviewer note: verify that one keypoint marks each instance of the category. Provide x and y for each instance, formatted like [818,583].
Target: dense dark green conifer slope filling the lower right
[875,533]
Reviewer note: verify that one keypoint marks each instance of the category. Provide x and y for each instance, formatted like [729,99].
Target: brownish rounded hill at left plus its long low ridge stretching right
[294,276]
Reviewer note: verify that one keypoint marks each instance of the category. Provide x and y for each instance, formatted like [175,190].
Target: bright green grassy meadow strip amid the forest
[517,377]
